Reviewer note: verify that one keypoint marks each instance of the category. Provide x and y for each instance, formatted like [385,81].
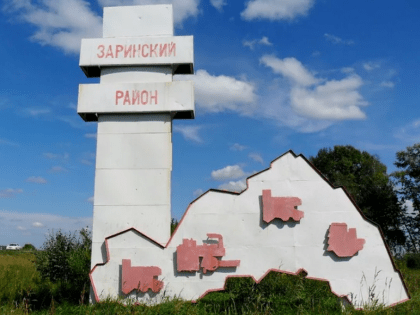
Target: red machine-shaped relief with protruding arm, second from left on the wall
[188,255]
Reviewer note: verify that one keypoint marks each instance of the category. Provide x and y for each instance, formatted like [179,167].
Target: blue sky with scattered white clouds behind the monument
[270,75]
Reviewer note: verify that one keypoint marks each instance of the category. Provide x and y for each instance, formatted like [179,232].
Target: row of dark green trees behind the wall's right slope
[390,200]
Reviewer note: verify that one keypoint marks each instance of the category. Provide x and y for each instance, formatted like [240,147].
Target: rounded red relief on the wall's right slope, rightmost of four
[342,242]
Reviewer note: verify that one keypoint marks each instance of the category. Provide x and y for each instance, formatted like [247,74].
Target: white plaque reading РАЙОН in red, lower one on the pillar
[136,98]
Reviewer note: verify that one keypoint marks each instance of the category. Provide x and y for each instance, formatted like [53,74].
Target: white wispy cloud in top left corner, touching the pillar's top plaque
[58,23]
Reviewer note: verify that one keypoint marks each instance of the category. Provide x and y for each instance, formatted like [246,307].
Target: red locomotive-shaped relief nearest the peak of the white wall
[283,208]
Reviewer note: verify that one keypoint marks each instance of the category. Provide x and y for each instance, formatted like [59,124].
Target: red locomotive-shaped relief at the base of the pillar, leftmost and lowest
[140,278]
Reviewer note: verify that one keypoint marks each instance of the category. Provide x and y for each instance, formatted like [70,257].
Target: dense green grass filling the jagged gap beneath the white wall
[277,293]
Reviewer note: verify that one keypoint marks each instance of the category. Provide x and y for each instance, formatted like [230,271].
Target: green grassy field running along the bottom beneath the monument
[22,292]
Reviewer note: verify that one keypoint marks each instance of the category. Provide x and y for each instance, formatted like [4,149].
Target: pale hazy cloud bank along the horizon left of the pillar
[35,226]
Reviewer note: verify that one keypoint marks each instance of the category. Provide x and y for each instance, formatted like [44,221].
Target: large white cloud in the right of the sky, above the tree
[314,98]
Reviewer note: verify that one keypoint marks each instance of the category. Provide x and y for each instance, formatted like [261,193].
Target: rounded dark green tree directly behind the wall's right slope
[366,179]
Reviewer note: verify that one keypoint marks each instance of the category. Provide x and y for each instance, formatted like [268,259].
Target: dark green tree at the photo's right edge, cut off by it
[407,180]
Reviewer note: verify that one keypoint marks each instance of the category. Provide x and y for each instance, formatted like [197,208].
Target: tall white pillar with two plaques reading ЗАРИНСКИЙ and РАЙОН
[134,105]
